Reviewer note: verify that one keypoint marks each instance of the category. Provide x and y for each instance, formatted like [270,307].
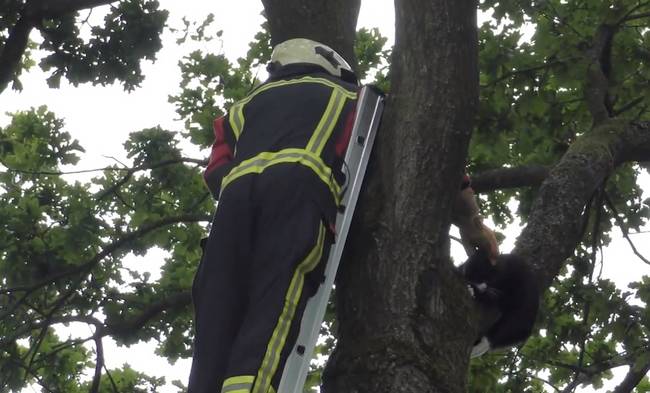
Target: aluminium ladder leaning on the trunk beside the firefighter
[369,109]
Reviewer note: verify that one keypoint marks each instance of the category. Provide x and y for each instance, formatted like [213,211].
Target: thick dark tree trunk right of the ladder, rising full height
[405,325]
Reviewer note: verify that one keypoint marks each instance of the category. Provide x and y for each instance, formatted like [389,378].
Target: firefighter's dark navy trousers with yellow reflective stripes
[264,258]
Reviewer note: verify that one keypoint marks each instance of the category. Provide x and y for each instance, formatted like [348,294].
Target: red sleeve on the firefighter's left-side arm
[221,156]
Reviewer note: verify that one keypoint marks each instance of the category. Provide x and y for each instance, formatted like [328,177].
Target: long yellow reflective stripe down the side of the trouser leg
[278,339]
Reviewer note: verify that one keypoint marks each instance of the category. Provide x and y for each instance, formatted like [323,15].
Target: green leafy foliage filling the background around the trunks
[63,244]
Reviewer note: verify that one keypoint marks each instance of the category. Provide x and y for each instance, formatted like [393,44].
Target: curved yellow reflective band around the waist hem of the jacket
[264,160]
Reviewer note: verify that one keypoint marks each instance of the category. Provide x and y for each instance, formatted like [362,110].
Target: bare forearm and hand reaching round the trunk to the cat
[473,232]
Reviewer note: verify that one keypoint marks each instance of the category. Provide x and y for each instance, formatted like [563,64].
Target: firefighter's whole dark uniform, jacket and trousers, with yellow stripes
[277,169]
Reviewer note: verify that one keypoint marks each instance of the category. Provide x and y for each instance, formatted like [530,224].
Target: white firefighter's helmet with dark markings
[304,51]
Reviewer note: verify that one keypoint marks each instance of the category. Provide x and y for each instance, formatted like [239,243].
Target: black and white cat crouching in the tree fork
[511,286]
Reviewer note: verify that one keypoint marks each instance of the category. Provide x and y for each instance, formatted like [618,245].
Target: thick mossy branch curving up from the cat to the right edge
[553,229]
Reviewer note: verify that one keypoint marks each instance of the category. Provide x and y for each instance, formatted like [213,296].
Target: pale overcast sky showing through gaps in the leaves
[102,117]
